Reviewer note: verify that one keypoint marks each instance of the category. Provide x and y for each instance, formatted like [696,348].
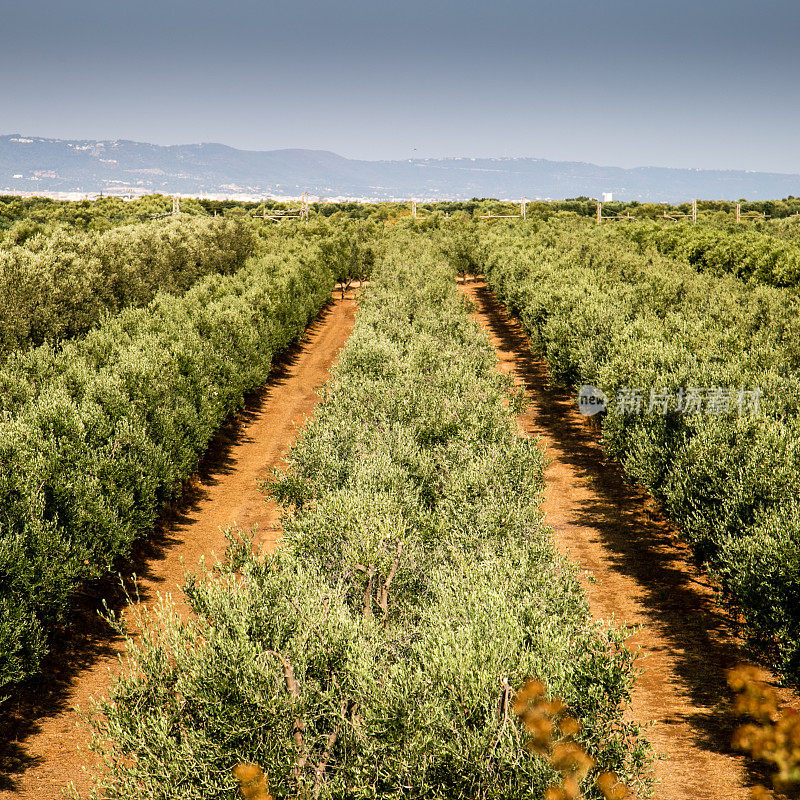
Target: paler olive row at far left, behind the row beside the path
[57,284]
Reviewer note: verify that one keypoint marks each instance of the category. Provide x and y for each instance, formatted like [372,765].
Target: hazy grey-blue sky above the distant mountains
[709,83]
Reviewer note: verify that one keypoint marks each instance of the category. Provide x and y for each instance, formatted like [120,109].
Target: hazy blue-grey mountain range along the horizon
[46,166]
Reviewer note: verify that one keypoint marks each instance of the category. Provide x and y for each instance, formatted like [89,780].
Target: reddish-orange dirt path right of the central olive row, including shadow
[638,575]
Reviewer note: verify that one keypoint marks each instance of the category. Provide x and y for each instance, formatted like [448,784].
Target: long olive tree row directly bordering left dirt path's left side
[96,433]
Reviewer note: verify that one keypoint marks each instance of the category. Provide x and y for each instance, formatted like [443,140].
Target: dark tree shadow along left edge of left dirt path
[87,638]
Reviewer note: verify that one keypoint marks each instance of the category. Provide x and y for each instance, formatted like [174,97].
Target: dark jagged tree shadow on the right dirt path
[643,545]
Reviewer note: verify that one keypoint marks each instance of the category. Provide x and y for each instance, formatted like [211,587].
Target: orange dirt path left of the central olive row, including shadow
[39,755]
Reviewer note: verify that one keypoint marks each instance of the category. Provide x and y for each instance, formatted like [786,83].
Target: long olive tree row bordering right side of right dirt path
[606,315]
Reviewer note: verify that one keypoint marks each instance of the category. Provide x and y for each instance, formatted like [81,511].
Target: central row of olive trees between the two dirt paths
[369,655]
